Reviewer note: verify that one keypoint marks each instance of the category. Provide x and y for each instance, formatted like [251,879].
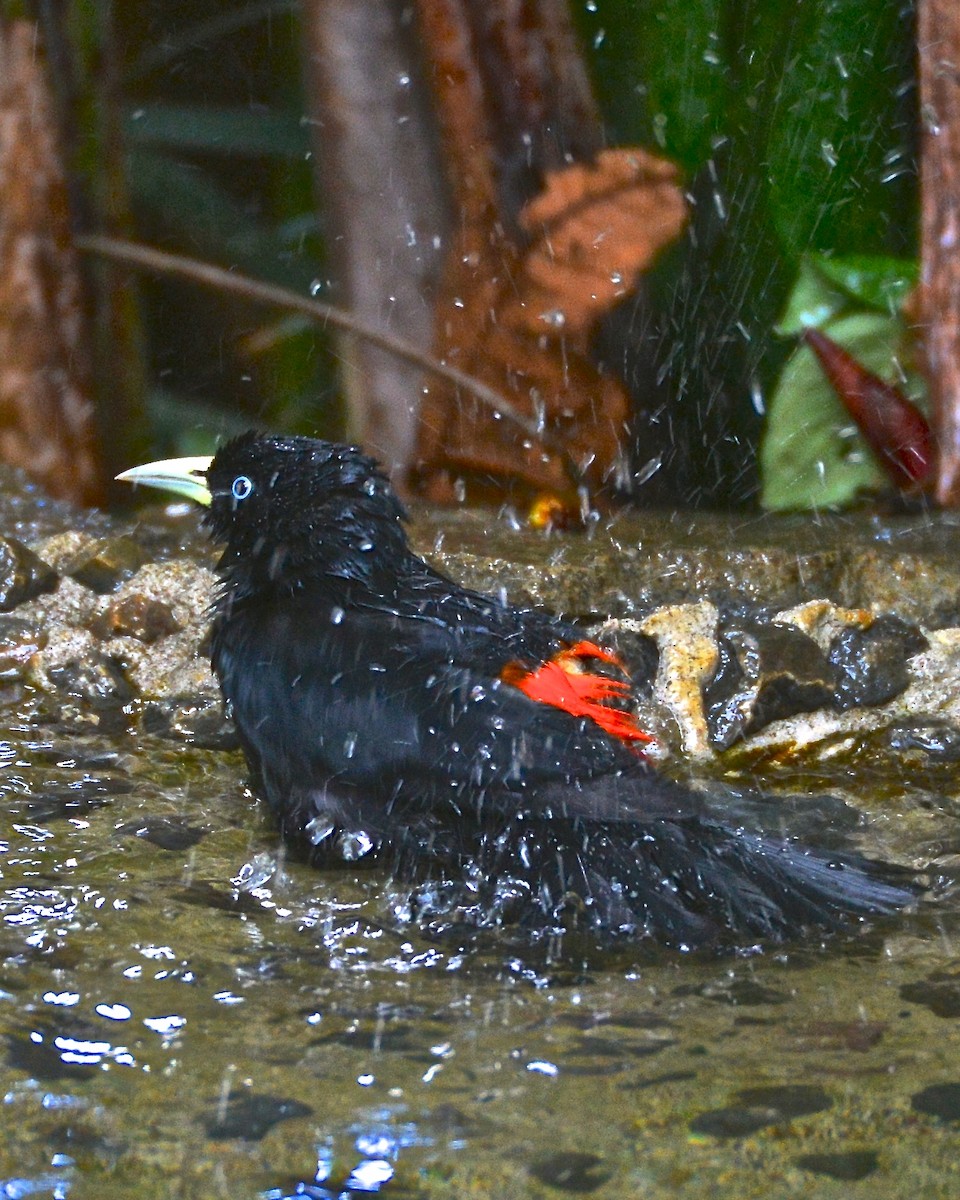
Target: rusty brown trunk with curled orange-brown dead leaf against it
[551,232]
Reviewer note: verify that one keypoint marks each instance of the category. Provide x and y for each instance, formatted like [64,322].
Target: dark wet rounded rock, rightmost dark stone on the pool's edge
[872,664]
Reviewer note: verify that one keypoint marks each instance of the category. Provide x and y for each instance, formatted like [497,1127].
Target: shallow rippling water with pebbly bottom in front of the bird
[170,1033]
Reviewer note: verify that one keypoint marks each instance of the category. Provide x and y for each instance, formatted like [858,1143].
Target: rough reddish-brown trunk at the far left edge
[47,422]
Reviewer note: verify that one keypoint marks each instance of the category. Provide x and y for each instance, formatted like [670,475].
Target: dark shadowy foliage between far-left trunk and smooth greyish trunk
[219,159]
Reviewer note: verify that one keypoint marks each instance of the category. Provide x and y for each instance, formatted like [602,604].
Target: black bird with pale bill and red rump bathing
[388,712]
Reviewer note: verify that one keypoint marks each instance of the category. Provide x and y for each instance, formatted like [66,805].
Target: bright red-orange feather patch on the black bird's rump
[567,682]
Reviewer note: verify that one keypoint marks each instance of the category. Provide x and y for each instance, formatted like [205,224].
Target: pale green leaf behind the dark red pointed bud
[813,455]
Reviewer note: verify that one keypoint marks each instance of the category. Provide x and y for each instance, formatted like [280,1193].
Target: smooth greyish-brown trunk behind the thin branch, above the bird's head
[382,190]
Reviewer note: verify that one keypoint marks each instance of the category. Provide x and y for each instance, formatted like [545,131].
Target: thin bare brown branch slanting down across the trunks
[207,275]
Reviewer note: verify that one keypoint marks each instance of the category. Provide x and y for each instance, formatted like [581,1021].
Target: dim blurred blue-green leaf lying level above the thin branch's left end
[248,133]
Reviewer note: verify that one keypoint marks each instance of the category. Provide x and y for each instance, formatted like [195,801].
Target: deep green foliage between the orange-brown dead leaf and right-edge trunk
[796,125]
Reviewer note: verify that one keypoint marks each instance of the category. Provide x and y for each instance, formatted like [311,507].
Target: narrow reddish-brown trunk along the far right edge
[939,39]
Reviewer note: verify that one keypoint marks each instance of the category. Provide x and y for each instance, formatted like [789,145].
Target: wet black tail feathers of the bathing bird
[694,883]
